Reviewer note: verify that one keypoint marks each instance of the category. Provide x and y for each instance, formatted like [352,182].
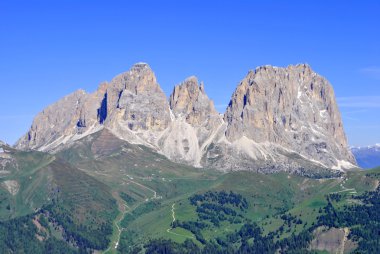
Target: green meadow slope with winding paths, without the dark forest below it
[157,196]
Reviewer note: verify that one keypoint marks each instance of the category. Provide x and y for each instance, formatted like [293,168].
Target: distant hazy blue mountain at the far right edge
[367,157]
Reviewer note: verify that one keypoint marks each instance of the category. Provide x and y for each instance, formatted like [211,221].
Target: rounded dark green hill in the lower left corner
[76,207]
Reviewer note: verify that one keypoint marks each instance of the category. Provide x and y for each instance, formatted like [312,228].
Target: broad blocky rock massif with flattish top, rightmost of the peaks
[291,107]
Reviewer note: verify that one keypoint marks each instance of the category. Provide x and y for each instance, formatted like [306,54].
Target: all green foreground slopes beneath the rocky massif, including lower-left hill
[127,198]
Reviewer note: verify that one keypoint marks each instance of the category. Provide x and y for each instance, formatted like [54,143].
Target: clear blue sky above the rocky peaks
[51,48]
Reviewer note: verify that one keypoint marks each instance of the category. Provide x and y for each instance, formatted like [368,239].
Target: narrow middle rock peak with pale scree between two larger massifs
[195,122]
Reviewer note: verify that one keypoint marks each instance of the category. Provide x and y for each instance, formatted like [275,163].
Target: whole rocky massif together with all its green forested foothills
[126,170]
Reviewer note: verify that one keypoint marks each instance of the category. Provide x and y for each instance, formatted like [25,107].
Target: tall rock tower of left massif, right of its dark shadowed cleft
[136,99]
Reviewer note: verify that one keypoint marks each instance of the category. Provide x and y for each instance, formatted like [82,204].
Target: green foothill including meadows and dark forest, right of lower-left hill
[169,206]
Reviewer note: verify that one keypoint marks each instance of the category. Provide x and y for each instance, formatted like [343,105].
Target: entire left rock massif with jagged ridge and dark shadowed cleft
[132,99]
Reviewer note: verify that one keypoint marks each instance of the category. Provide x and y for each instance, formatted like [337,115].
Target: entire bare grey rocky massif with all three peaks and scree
[277,119]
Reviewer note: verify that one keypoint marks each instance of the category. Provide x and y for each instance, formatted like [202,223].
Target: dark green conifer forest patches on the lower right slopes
[363,218]
